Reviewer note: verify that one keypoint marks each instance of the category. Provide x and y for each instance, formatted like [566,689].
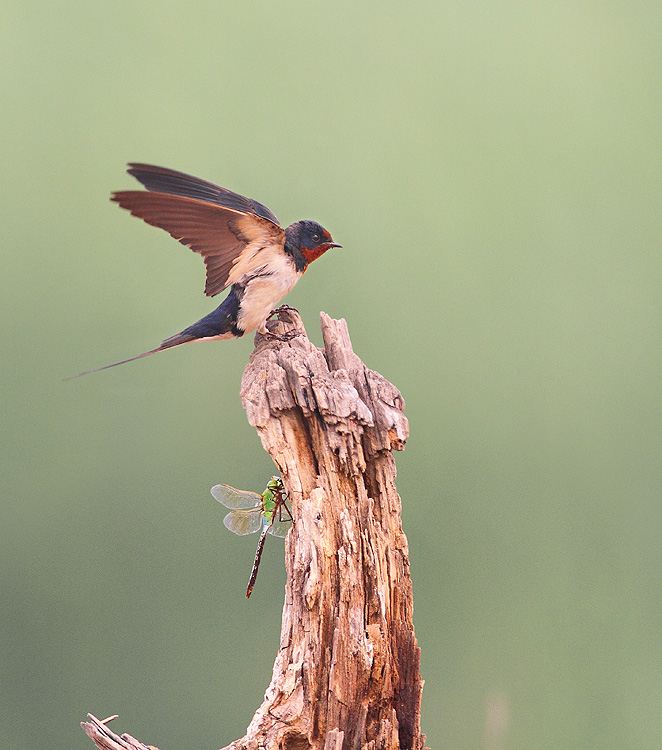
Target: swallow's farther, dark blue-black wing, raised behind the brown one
[162,180]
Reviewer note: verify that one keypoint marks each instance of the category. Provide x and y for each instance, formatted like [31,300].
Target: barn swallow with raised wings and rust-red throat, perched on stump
[241,242]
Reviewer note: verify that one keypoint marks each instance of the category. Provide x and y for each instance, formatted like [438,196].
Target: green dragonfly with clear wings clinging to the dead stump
[250,513]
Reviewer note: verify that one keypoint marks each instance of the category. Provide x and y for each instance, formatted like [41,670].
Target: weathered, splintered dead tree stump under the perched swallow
[347,672]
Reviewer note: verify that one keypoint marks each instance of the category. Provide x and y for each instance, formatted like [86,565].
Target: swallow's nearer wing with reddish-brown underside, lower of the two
[217,233]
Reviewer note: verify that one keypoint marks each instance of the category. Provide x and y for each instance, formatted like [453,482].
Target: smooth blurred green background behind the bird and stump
[493,172]
